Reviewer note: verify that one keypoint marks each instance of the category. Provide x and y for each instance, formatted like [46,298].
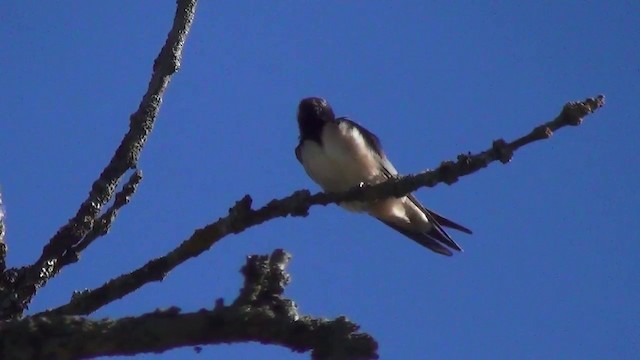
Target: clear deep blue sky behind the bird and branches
[552,270]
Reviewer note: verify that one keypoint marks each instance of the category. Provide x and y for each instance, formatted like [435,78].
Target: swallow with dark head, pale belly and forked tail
[339,154]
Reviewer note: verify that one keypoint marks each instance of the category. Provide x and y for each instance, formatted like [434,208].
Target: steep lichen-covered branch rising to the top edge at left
[126,157]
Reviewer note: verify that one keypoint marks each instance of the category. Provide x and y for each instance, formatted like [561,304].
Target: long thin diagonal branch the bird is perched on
[242,216]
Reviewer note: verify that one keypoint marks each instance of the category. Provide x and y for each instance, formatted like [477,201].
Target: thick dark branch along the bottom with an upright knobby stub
[264,316]
